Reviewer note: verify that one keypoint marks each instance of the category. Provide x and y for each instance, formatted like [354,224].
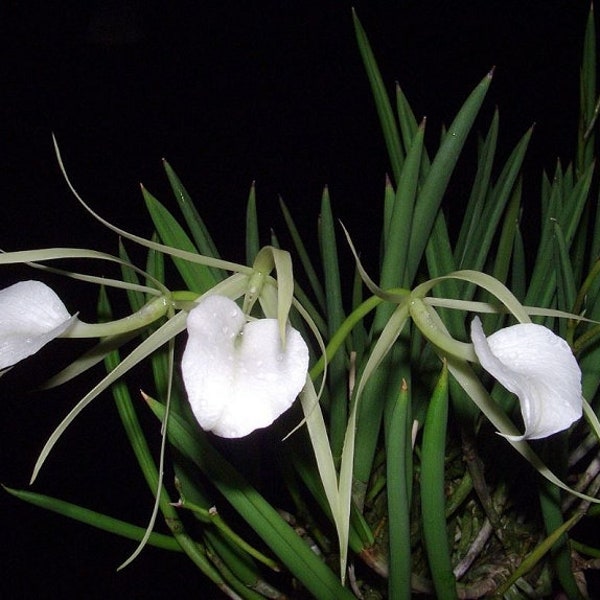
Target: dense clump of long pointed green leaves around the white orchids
[429,505]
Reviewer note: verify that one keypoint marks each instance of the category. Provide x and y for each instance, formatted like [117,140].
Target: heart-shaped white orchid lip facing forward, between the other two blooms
[237,374]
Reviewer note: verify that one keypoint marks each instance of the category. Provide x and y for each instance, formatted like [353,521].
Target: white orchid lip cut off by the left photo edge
[31,315]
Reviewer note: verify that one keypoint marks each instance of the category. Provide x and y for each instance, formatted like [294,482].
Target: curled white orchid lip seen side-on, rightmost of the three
[539,367]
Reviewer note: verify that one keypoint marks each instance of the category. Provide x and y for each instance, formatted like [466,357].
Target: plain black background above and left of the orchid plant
[271,91]
